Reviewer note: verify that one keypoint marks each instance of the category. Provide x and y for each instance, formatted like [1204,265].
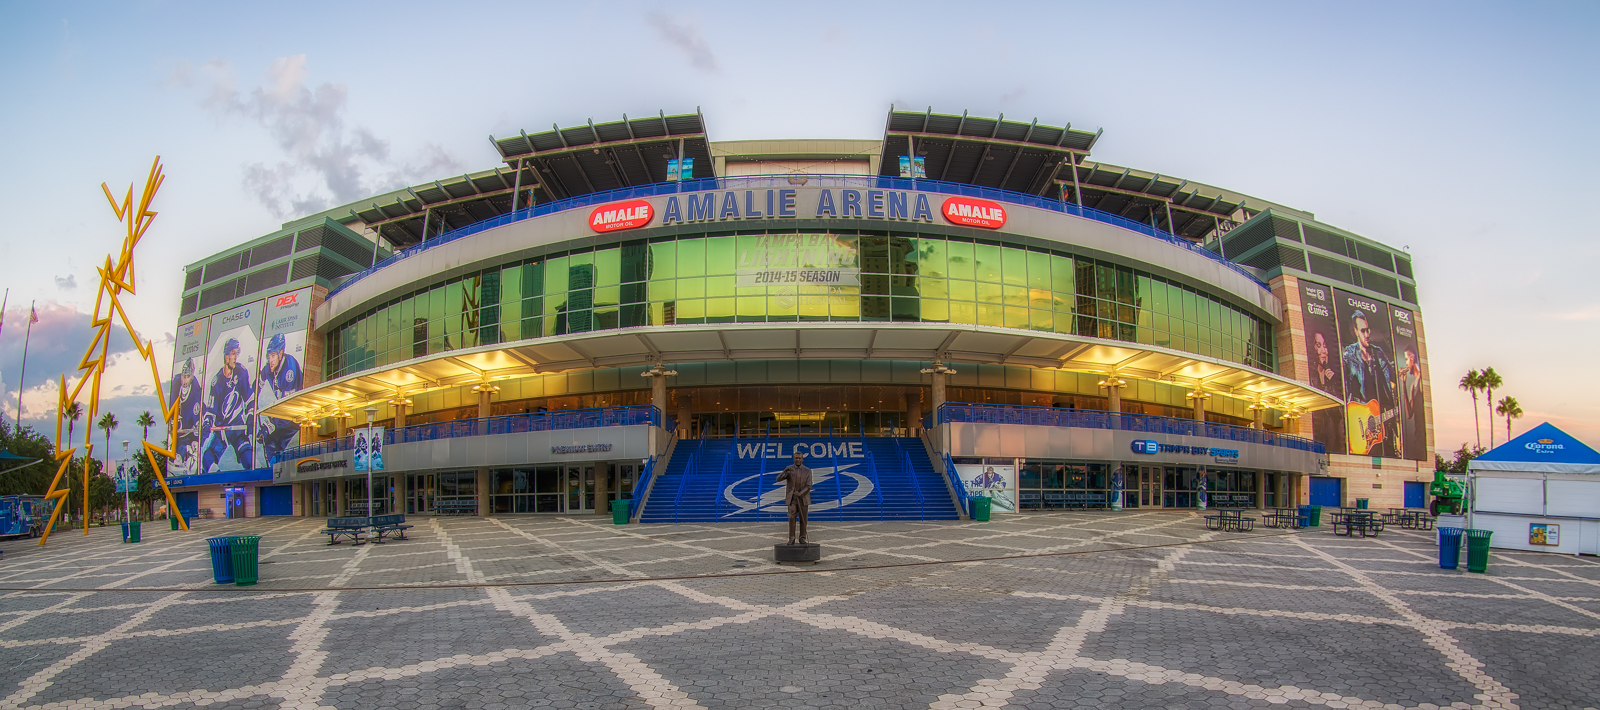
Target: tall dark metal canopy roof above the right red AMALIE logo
[990,153]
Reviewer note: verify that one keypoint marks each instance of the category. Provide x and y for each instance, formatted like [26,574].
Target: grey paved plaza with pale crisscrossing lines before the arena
[1124,610]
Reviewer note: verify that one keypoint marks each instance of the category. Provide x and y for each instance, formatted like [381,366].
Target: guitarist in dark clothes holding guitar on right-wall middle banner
[1370,391]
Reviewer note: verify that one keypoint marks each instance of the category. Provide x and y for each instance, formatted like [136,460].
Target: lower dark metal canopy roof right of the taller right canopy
[1135,194]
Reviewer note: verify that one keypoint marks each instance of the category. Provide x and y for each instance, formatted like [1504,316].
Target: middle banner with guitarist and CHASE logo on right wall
[1372,415]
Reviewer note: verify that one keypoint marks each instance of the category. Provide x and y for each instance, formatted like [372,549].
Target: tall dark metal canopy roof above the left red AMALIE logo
[601,158]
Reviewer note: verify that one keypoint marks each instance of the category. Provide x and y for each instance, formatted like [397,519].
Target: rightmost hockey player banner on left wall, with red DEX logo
[281,377]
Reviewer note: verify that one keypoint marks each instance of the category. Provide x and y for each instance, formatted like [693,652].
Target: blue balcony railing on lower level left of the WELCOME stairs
[545,421]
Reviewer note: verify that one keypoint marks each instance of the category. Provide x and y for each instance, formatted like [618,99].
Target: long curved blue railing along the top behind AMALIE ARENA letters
[922,185]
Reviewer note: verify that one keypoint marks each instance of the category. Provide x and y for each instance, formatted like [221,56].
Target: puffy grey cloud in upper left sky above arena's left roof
[326,162]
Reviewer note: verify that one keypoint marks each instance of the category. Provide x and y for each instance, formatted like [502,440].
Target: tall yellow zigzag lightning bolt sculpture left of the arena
[116,277]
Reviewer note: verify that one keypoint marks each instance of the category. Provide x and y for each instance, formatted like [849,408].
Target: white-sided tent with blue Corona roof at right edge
[1538,492]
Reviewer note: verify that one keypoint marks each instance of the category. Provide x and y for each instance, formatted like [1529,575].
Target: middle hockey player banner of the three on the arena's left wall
[231,365]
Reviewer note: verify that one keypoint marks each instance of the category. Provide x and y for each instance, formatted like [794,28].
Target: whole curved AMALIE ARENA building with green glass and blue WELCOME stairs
[631,311]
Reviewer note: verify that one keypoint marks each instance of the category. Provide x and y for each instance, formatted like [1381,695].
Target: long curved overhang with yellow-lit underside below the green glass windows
[799,341]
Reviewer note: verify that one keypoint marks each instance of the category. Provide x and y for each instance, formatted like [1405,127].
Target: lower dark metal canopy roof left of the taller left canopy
[444,205]
